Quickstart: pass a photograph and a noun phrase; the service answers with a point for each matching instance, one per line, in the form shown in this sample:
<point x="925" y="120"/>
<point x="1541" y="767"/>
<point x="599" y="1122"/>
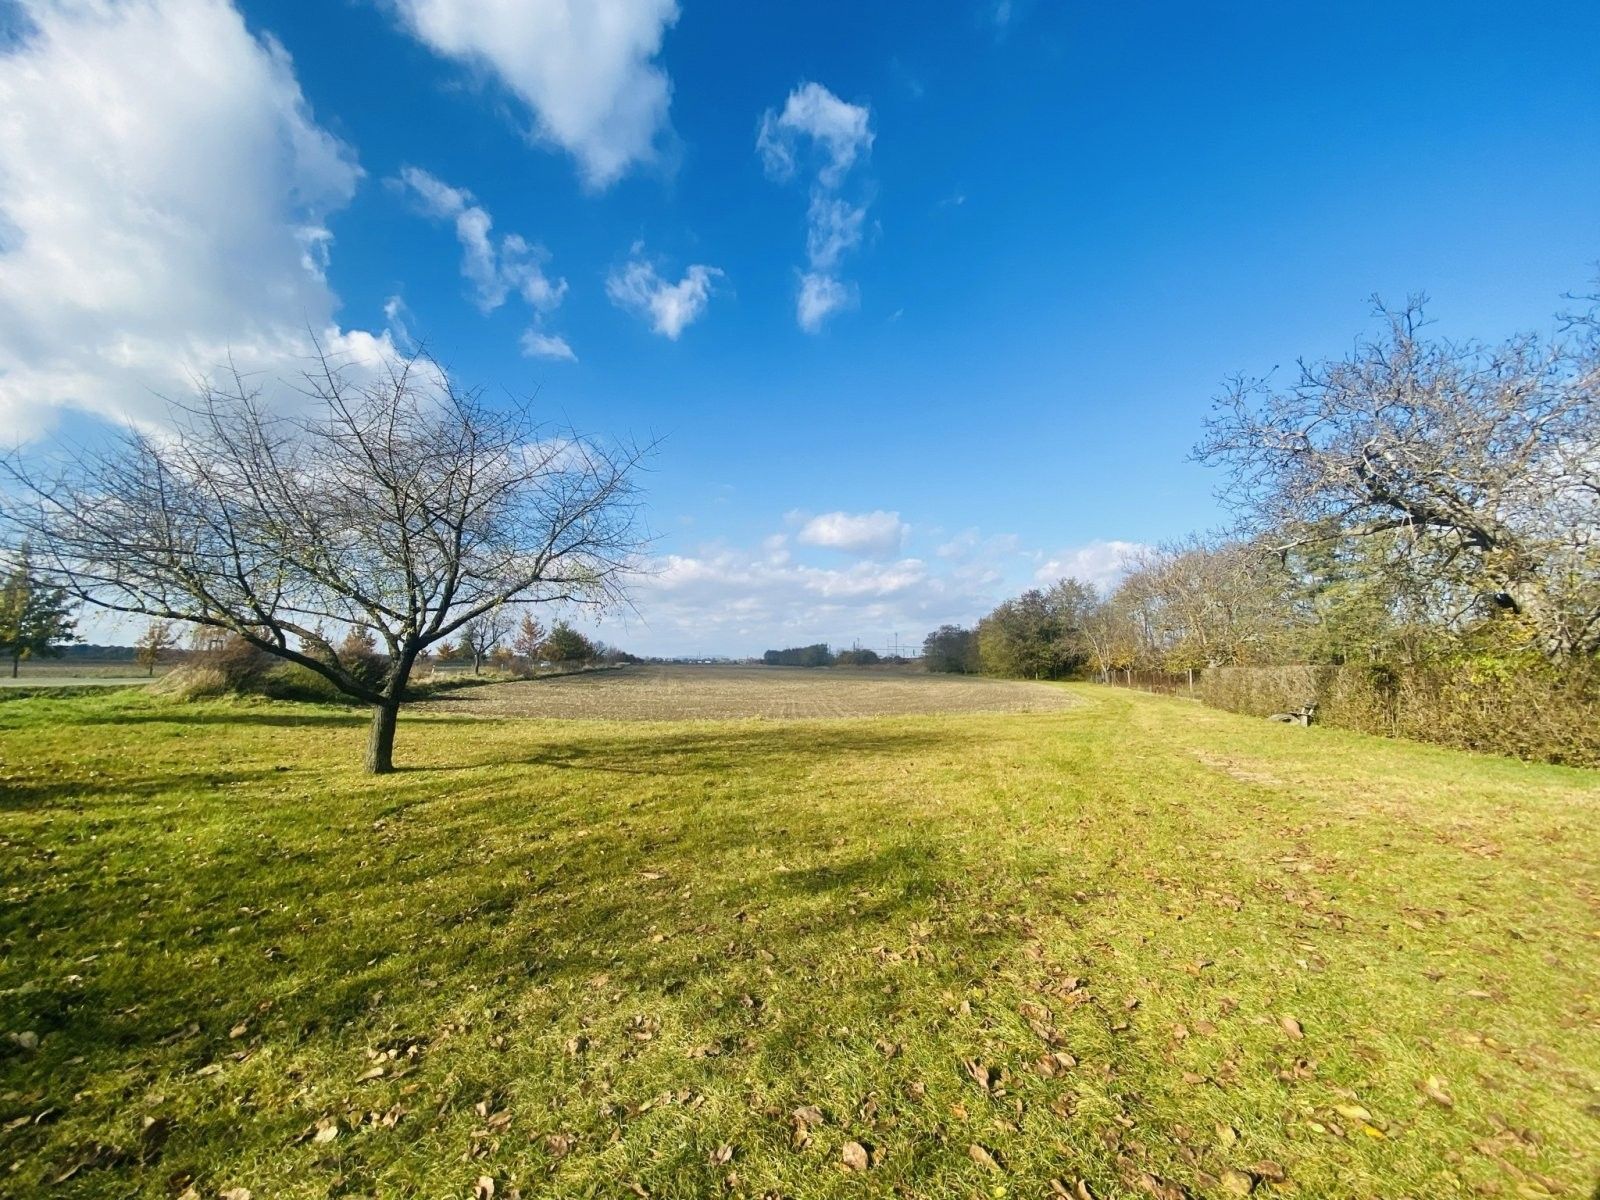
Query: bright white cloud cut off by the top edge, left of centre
<point x="585" y="68"/>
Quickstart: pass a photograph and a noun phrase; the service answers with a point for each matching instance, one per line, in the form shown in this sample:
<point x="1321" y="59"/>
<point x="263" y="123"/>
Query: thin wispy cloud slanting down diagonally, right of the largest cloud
<point x="495" y="270"/>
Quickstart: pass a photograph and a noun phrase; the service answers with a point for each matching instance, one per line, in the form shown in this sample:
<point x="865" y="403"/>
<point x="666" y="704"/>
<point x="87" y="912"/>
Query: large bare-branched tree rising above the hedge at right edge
<point x="1486" y="458"/>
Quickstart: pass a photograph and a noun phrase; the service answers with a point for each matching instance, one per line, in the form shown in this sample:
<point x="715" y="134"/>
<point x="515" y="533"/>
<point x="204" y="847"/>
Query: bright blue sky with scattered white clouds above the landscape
<point x="1052" y="231"/>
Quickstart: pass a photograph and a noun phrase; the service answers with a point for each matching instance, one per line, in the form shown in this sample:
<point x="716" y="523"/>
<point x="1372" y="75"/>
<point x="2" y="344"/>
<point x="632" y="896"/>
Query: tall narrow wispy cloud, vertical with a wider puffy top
<point x="831" y="137"/>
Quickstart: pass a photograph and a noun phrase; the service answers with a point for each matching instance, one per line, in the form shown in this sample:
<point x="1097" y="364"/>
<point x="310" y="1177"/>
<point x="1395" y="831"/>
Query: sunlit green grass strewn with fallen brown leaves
<point x="591" y="956"/>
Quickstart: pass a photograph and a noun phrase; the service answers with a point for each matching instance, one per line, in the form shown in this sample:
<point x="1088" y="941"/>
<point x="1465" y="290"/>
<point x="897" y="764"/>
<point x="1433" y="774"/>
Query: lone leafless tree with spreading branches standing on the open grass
<point x="401" y="505"/>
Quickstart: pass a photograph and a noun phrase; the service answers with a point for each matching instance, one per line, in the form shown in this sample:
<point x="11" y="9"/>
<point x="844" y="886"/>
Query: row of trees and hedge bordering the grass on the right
<point x="1417" y="553"/>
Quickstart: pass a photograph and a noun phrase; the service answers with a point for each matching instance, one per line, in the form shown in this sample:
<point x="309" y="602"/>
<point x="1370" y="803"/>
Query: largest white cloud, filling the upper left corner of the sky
<point x="164" y="204"/>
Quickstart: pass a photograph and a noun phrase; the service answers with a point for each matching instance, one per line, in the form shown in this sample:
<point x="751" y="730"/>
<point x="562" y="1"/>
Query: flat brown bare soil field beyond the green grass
<point x="732" y="692"/>
